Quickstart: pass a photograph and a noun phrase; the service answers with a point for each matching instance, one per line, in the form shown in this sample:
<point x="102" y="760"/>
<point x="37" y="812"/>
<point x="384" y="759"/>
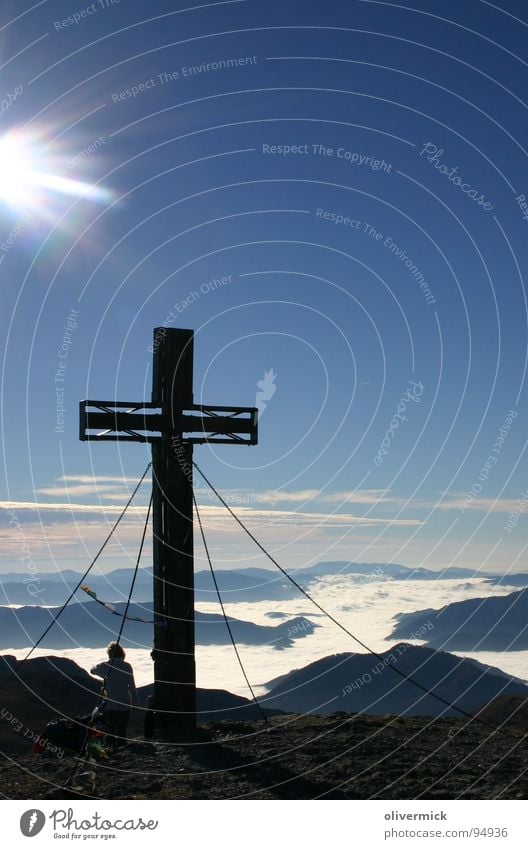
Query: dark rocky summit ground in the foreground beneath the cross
<point x="293" y="757"/>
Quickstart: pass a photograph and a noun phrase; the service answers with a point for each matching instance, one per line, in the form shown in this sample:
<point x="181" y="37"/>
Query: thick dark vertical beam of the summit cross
<point x="174" y="645"/>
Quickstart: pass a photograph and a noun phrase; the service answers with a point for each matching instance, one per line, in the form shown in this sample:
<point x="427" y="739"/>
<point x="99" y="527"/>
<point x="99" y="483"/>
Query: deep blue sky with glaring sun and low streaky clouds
<point x="336" y="196"/>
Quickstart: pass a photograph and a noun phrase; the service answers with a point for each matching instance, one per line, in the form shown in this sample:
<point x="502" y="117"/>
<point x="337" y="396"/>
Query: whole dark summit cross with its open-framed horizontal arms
<point x="173" y="424"/>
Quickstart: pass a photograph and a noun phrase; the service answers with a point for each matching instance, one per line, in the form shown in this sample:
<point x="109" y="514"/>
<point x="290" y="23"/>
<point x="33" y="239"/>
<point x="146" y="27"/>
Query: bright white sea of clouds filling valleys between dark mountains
<point x="366" y="607"/>
